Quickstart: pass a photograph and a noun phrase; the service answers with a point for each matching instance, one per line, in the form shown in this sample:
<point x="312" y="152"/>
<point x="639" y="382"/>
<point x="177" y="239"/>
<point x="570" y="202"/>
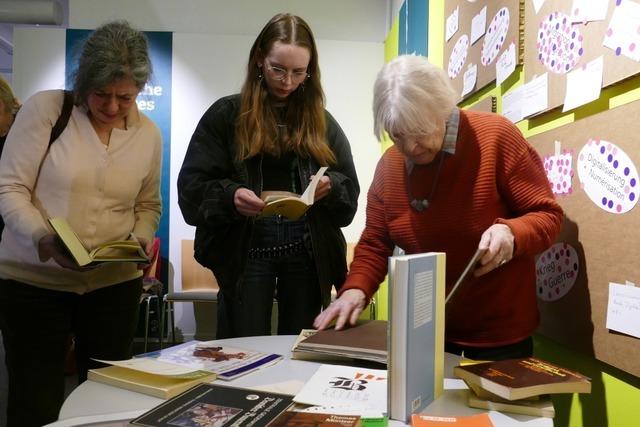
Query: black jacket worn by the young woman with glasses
<point x="210" y="175"/>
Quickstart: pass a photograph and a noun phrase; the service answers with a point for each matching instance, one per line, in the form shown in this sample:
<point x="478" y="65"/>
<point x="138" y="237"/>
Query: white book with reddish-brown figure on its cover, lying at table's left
<point x="227" y="362"/>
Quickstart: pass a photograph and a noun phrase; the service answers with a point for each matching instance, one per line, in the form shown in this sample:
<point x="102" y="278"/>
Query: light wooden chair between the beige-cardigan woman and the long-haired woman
<point x="198" y="285"/>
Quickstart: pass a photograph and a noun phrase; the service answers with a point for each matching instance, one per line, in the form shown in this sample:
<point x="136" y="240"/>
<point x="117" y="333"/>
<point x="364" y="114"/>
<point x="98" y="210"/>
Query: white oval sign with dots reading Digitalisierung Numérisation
<point x="608" y="176"/>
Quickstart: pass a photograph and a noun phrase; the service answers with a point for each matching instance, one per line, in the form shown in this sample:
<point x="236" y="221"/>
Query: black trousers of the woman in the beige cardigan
<point x="36" y="324"/>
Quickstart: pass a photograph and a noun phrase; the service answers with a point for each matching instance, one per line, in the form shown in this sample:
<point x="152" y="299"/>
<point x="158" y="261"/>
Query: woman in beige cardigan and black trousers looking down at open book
<point x="102" y="174"/>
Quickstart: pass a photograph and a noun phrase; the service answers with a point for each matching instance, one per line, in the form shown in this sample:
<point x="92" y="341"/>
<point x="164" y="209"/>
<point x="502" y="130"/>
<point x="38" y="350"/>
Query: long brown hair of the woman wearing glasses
<point x="304" y="117"/>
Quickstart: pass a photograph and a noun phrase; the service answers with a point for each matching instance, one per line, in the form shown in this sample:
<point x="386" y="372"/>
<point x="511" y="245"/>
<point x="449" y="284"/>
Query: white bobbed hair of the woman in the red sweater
<point x="411" y="96"/>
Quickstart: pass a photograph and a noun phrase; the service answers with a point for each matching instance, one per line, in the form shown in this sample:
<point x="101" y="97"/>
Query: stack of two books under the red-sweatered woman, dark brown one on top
<point x="519" y="386"/>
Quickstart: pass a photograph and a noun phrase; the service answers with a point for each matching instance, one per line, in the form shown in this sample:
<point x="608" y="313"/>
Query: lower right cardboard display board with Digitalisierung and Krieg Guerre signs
<point x="593" y="170"/>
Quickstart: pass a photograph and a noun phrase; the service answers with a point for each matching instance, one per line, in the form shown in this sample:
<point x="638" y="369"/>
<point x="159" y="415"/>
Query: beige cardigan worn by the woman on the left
<point x="105" y="193"/>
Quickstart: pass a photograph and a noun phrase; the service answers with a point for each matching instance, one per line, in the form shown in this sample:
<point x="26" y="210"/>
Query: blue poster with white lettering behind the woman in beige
<point x="154" y="101"/>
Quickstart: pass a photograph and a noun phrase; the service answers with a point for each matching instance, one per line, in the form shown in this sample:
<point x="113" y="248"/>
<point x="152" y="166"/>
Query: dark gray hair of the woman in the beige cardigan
<point x="112" y="52"/>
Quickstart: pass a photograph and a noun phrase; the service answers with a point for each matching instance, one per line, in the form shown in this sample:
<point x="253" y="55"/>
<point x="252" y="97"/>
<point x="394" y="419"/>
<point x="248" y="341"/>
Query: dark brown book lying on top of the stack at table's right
<point x="514" y="379"/>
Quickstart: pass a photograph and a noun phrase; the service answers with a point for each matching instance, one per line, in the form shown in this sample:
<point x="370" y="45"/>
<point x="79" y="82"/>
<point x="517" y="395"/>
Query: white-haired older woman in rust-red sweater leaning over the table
<point x="471" y="181"/>
